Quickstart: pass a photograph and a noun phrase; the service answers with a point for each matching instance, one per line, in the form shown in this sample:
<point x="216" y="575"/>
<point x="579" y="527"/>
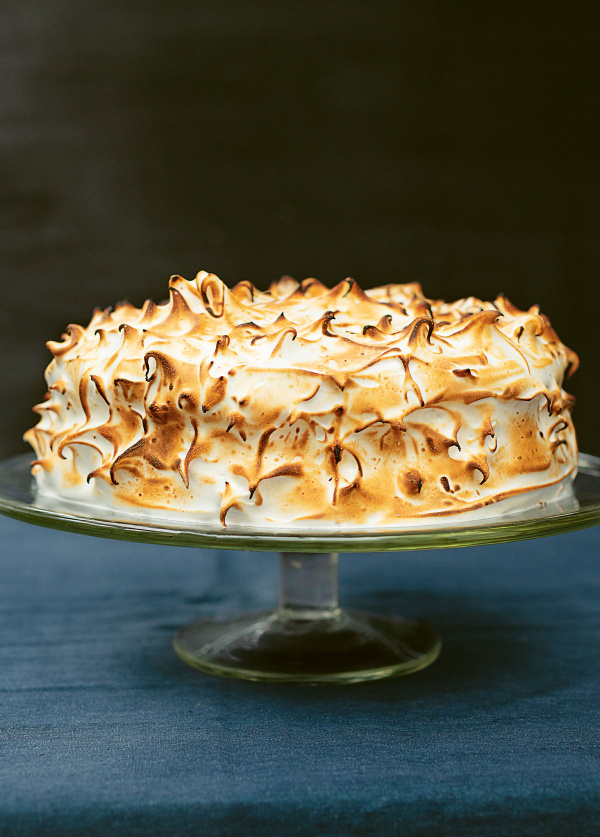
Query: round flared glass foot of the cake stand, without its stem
<point x="352" y="648"/>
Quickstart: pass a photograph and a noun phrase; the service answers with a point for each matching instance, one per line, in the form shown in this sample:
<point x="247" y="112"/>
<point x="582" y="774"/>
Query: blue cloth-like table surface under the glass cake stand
<point x="105" y="731"/>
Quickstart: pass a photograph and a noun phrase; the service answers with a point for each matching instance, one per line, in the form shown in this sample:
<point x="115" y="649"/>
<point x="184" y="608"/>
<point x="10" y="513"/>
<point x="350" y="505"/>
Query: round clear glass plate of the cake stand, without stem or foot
<point x="15" y="471"/>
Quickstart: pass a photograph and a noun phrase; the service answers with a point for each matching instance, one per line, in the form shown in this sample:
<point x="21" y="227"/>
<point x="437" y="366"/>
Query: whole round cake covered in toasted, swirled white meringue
<point x="305" y="406"/>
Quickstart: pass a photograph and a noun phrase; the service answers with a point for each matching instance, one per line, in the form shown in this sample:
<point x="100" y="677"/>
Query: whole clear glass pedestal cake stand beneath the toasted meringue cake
<point x="308" y="638"/>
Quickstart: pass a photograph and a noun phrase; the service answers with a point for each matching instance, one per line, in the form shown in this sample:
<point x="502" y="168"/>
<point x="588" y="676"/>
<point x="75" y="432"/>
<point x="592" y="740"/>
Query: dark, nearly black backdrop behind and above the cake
<point x="451" y="144"/>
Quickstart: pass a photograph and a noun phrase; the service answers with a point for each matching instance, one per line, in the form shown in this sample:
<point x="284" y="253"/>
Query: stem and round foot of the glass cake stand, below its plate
<point x="308" y="639"/>
